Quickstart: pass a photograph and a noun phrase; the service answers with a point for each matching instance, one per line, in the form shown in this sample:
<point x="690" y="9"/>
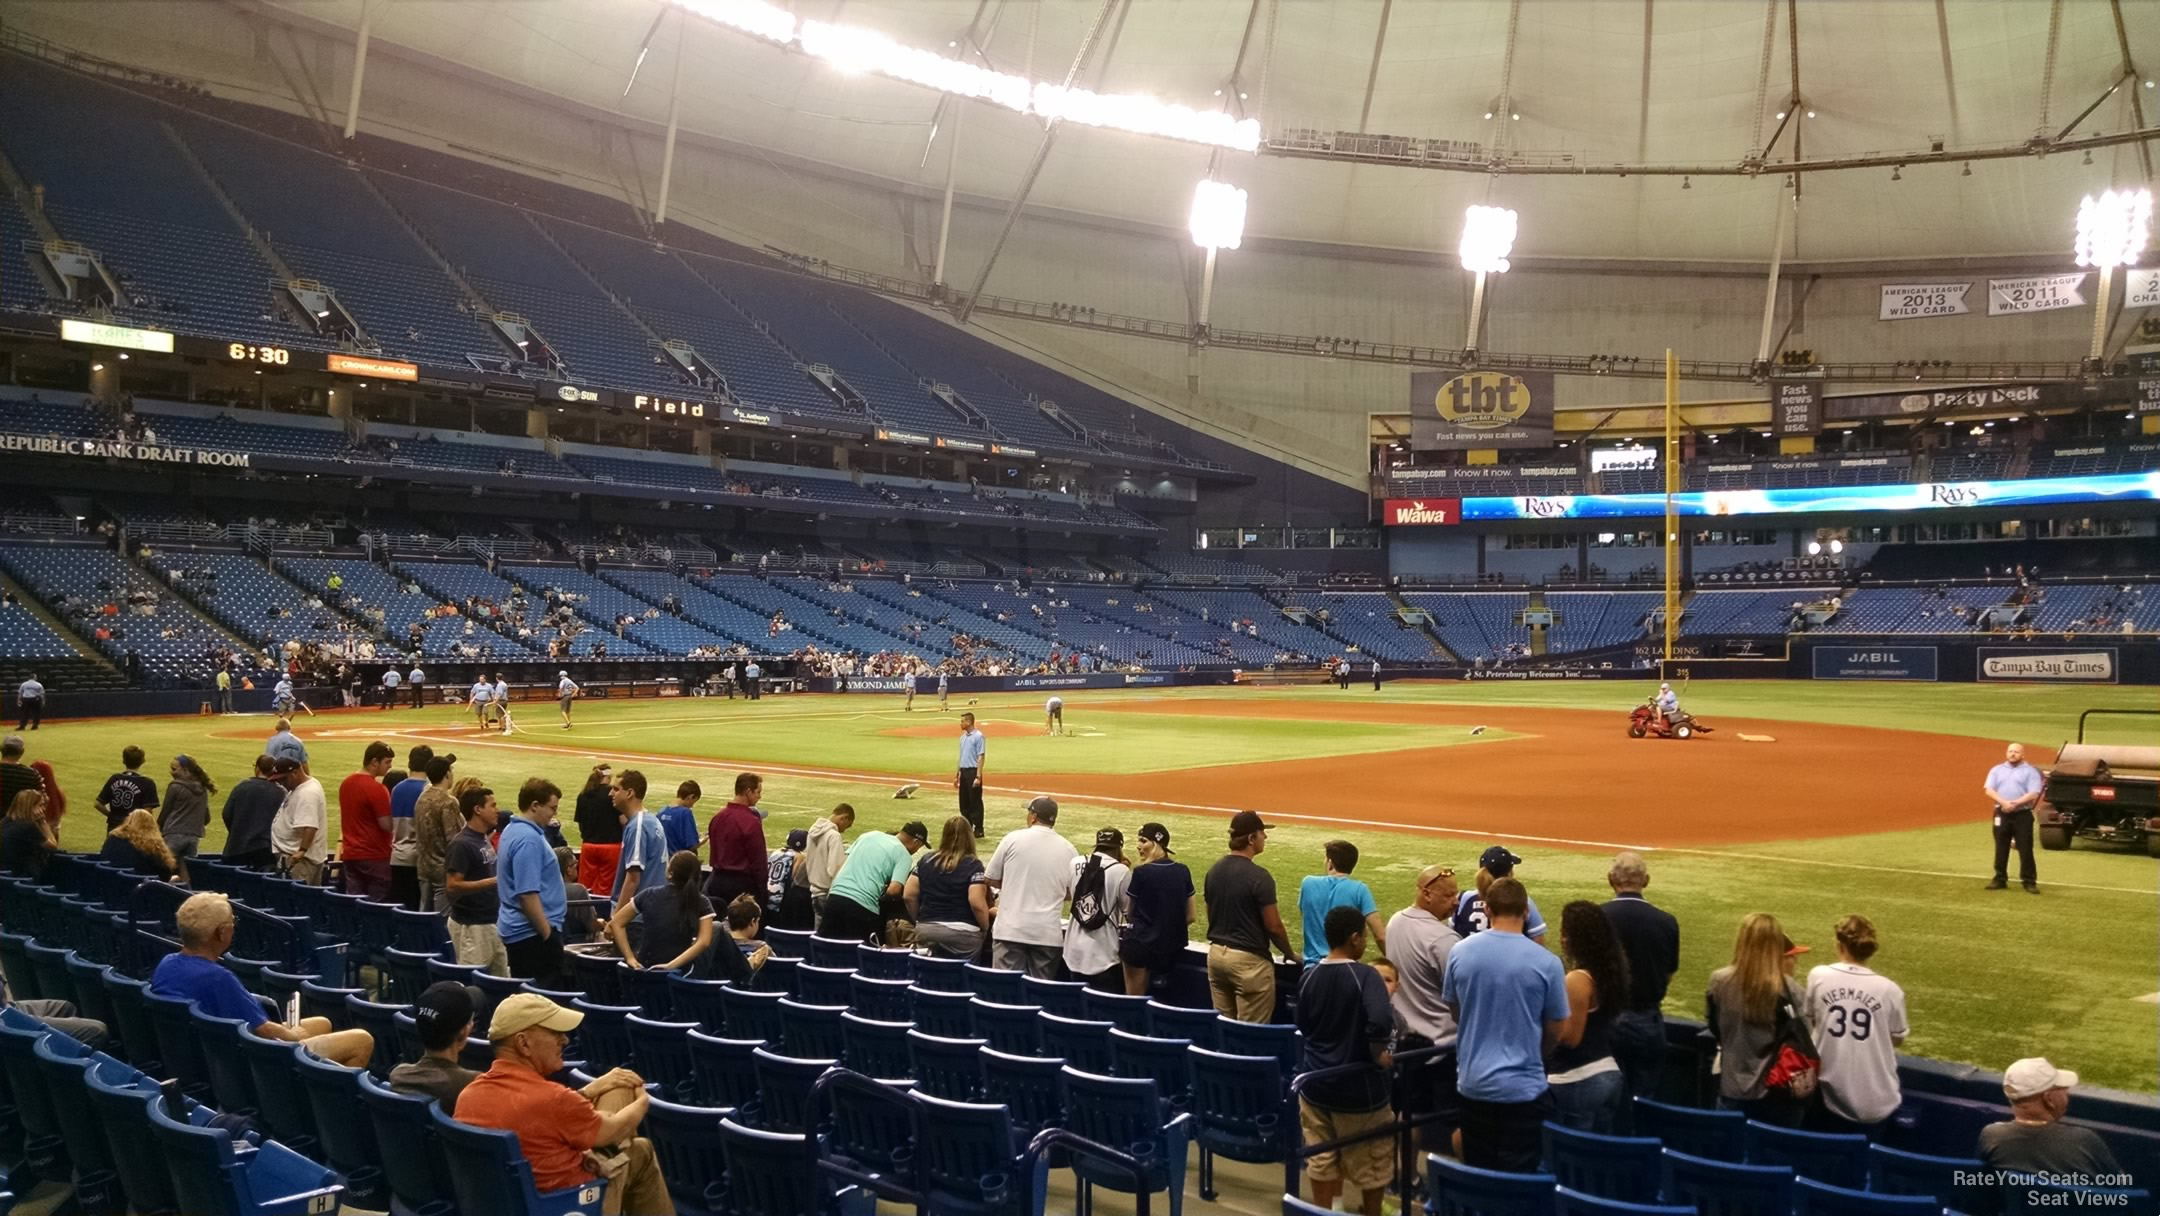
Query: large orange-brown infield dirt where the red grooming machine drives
<point x="1578" y="776"/>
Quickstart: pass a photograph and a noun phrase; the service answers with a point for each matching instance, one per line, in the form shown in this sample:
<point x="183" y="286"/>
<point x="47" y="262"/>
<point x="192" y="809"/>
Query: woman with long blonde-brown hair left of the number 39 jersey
<point x="1749" y="1001"/>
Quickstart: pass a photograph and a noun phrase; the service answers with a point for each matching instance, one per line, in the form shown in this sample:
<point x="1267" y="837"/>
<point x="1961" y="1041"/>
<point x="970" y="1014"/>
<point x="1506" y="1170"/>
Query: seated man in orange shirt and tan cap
<point x="569" y="1135"/>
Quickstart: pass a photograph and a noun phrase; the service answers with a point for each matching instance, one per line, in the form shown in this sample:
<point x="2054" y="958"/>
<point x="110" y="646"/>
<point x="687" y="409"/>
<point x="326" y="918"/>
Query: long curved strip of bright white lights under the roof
<point x="854" y="49"/>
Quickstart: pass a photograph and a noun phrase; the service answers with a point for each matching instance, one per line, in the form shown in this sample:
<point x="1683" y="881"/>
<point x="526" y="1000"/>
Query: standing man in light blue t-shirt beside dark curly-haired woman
<point x="1511" y="1001"/>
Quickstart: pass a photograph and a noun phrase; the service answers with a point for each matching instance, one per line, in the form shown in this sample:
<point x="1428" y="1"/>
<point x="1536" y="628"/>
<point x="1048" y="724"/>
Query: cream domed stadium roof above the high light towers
<point x="1677" y="94"/>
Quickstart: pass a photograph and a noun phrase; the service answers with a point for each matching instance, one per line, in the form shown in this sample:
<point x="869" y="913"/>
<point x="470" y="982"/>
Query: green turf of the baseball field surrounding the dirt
<point x="1990" y="975"/>
